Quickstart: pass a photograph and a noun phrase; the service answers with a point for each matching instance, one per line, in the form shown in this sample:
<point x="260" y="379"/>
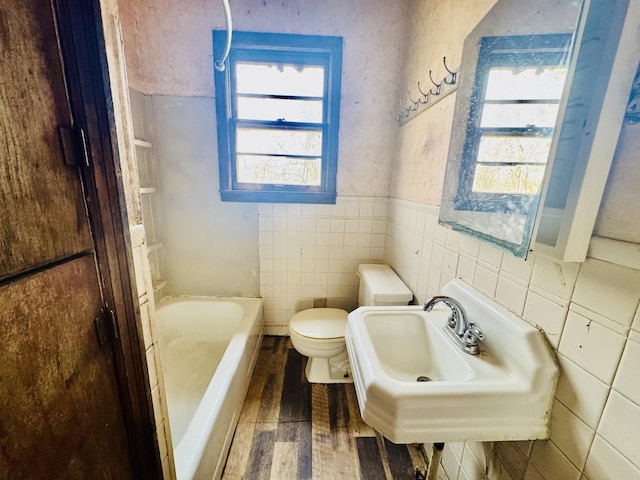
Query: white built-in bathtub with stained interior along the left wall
<point x="208" y="348"/>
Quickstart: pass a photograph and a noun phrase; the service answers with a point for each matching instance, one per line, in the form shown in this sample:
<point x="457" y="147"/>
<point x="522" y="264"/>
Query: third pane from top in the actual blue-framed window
<point x="272" y="141"/>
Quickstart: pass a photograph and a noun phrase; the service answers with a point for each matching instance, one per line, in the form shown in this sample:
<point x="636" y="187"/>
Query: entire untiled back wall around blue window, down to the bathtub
<point x="212" y="247"/>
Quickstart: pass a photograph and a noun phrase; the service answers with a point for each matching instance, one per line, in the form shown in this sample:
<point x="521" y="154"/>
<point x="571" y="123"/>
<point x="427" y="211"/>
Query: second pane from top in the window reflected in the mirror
<point x="541" y="115"/>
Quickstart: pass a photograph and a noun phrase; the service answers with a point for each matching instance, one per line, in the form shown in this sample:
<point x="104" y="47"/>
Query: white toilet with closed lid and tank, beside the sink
<point x="318" y="333"/>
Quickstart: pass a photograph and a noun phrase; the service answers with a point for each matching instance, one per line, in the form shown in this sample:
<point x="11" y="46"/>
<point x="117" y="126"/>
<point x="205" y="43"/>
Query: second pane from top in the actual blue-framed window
<point x="277" y="109"/>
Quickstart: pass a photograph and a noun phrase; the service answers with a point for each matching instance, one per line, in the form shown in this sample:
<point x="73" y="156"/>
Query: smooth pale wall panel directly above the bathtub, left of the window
<point x="211" y="246"/>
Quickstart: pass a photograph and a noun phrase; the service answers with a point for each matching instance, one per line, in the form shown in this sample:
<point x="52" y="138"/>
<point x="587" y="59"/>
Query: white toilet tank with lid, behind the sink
<point x="379" y="286"/>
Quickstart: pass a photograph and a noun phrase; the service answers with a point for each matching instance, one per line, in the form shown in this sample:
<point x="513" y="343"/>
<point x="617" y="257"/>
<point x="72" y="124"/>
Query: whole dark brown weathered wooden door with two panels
<point x="61" y="415"/>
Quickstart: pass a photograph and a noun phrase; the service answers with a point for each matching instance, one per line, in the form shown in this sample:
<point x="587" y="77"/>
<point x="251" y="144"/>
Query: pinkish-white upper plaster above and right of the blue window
<point x="168" y="50"/>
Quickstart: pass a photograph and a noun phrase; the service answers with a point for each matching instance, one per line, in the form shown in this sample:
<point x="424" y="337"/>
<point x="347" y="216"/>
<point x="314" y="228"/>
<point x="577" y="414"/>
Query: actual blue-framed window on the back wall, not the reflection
<point x="277" y="107"/>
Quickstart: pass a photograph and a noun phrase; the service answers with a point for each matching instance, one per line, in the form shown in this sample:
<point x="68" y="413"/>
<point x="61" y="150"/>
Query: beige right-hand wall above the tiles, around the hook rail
<point x="435" y="29"/>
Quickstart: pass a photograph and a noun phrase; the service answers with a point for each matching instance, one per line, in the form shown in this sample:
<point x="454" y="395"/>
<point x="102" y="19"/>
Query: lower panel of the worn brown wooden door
<point x="61" y="415"/>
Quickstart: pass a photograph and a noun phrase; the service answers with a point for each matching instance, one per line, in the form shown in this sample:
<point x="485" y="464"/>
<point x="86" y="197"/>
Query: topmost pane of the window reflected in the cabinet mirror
<point x="531" y="83"/>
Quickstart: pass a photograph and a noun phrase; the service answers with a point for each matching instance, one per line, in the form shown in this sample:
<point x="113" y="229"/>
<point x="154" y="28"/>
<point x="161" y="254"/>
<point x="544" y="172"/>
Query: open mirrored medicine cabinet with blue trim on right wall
<point x="560" y="156"/>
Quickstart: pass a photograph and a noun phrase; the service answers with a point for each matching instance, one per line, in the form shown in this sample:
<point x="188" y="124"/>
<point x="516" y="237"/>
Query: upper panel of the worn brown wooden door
<point x="43" y="215"/>
